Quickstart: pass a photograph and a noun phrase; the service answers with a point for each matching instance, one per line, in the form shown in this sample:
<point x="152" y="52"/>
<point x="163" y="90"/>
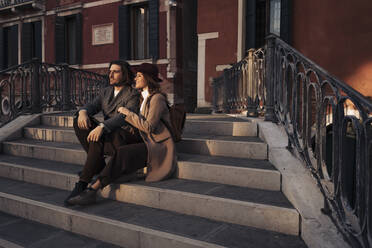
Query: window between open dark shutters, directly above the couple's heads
<point x="139" y="32"/>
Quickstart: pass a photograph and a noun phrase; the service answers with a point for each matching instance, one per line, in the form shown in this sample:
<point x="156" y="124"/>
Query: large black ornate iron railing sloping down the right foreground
<point x="330" y="125"/>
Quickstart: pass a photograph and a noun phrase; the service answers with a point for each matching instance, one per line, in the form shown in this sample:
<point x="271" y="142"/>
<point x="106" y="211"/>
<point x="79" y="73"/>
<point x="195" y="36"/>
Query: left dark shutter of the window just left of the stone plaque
<point x="59" y="40"/>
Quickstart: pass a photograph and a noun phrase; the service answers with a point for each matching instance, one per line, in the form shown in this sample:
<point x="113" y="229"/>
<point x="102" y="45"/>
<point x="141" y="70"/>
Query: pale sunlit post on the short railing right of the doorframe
<point x="251" y="86"/>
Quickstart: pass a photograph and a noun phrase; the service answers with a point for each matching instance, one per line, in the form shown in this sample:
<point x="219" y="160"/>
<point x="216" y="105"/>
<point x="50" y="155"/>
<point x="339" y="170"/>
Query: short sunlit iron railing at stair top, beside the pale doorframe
<point x="241" y="87"/>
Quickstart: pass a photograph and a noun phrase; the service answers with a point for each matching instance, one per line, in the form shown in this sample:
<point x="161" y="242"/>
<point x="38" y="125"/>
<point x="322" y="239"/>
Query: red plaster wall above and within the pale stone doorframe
<point x="218" y="16"/>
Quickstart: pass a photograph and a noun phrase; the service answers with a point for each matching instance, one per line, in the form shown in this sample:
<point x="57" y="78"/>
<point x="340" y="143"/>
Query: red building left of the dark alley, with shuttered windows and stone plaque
<point x="88" y="34"/>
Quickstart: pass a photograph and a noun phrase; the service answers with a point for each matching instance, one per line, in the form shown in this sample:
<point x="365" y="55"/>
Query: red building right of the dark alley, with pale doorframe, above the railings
<point x="334" y="34"/>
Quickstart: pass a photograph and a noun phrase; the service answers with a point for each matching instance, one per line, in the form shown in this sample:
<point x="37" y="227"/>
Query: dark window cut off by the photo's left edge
<point x="8" y="46"/>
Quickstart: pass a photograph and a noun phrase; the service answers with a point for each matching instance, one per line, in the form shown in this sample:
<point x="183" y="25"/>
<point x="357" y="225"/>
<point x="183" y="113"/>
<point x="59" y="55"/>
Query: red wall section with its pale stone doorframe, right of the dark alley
<point x="217" y="43"/>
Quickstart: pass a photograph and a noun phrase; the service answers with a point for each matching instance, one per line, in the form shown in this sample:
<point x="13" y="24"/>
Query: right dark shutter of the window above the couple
<point x="154" y="29"/>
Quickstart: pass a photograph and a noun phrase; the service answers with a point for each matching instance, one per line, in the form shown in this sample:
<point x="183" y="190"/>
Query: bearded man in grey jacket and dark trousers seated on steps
<point x="99" y="139"/>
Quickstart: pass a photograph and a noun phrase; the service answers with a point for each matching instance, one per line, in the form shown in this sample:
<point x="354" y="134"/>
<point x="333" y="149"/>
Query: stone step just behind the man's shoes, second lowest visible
<point x="263" y="209"/>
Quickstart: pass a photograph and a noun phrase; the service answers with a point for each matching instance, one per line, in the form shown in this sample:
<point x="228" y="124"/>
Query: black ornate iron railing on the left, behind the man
<point x="34" y="87"/>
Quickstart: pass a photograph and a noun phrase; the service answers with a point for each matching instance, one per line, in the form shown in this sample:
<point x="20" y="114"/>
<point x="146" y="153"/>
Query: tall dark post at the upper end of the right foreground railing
<point x="270" y="79"/>
